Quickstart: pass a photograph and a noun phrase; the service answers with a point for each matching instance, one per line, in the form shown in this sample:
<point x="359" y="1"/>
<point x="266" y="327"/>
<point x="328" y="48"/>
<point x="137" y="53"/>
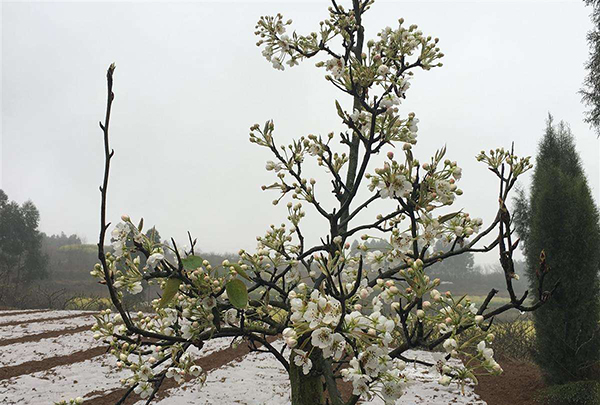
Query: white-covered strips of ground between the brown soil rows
<point x="257" y="379"/>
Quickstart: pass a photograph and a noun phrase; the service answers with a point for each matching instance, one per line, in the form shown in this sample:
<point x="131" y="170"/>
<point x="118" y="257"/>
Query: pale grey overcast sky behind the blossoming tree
<point x="190" y="82"/>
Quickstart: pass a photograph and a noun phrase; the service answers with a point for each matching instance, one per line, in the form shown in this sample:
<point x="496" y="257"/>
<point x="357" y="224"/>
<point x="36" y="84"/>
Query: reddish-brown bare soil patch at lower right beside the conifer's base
<point x="517" y="385"/>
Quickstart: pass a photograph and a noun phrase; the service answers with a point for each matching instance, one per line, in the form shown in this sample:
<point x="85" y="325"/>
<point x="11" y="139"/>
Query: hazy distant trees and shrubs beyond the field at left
<point x="40" y="270"/>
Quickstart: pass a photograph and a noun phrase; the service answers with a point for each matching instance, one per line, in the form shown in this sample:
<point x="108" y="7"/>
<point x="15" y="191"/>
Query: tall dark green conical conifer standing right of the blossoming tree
<point x="560" y="219"/>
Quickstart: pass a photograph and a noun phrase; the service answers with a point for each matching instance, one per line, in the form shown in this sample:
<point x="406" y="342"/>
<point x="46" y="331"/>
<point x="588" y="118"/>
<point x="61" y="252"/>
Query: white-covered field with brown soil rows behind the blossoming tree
<point x="48" y="356"/>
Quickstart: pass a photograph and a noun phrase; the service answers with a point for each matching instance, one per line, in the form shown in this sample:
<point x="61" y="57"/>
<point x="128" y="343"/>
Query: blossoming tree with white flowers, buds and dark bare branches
<point x="342" y="313"/>
